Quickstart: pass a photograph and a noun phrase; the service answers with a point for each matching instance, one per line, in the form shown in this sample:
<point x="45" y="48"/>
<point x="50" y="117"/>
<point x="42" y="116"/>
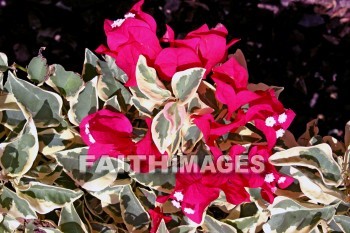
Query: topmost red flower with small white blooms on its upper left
<point x="130" y="37"/>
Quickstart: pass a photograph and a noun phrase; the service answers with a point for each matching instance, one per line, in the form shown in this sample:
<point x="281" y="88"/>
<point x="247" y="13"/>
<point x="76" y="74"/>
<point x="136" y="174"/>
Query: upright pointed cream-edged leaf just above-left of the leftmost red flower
<point x="85" y="103"/>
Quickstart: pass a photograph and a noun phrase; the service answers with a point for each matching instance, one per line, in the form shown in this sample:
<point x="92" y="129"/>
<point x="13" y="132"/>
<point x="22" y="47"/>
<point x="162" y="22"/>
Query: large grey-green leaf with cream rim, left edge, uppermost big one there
<point x="44" y="106"/>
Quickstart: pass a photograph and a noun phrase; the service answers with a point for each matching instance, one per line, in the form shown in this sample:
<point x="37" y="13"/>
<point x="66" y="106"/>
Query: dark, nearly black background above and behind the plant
<point x="302" y="47"/>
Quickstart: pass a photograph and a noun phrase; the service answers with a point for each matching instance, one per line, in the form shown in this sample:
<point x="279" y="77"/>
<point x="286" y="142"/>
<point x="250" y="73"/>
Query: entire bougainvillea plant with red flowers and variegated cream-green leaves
<point x="161" y="135"/>
